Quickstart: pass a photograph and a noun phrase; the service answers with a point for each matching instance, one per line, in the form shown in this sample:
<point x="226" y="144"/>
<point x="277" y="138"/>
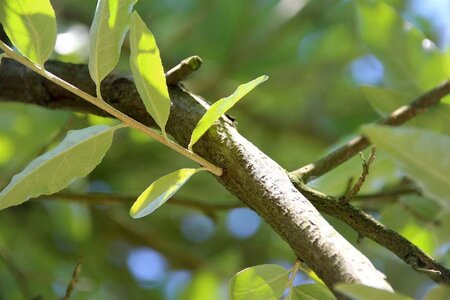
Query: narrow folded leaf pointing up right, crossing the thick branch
<point x="222" y="106"/>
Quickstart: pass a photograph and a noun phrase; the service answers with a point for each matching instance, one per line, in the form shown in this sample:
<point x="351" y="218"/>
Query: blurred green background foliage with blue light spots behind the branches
<point x="317" y="53"/>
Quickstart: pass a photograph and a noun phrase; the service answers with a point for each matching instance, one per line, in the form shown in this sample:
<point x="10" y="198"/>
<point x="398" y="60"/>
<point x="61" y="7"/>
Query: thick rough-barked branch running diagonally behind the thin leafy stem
<point x="249" y="174"/>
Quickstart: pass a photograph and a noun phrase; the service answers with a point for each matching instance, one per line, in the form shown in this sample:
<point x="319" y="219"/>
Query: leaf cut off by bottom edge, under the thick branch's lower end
<point x="362" y="292"/>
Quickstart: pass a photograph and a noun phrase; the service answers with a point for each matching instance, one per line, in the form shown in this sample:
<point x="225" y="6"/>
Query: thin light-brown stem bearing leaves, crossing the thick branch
<point x="111" y="110"/>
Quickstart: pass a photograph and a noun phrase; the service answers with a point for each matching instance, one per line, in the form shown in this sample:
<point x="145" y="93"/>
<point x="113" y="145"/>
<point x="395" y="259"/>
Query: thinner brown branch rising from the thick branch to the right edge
<point x="358" y="144"/>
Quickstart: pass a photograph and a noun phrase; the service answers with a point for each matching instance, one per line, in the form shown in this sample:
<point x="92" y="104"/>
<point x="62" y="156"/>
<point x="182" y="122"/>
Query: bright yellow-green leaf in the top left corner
<point x="31" y="27"/>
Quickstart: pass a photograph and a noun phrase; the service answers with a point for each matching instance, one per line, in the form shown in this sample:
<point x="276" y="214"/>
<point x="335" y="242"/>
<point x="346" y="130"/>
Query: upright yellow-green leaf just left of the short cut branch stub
<point x="148" y="71"/>
